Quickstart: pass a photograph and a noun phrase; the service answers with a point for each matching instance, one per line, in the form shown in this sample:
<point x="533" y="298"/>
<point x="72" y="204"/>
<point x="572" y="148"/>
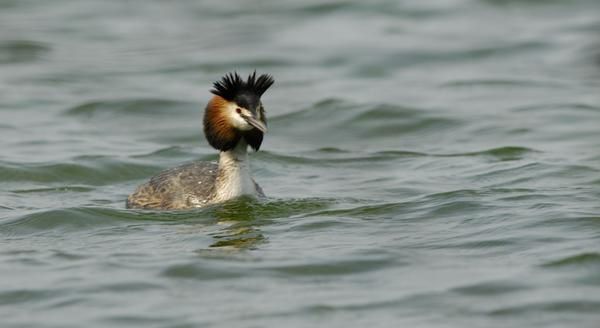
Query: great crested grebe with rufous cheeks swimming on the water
<point x="234" y="119"/>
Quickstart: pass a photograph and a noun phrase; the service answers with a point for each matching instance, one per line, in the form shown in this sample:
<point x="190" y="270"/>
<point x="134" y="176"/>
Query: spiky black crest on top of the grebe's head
<point x="232" y="85"/>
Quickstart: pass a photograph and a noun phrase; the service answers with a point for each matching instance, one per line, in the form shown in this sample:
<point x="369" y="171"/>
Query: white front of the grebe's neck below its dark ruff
<point x="233" y="178"/>
